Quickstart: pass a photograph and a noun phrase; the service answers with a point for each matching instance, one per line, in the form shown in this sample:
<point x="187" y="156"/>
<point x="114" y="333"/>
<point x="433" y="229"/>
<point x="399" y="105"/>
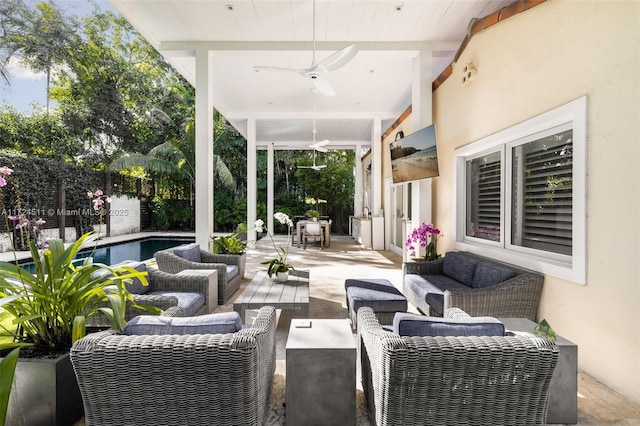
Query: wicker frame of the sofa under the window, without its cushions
<point x="517" y="297"/>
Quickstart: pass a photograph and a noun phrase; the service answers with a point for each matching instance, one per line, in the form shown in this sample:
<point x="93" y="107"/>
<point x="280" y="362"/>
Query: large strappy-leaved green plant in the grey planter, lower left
<point x="45" y="303"/>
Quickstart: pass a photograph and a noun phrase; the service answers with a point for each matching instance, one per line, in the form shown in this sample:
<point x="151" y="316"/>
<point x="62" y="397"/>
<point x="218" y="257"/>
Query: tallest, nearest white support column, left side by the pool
<point x="204" y="149"/>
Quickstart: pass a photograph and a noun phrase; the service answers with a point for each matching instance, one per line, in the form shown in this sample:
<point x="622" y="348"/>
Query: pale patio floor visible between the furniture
<point x="597" y="403"/>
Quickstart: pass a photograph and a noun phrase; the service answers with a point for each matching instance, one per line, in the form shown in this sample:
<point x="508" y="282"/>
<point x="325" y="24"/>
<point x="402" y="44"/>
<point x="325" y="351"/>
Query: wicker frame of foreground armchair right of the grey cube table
<point x="454" y="380"/>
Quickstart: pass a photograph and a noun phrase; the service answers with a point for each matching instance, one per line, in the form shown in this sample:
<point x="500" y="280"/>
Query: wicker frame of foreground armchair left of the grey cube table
<point x="208" y="379"/>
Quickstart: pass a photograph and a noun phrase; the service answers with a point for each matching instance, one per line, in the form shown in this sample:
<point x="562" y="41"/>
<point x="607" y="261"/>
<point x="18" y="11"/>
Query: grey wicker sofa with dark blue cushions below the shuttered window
<point x="478" y="285"/>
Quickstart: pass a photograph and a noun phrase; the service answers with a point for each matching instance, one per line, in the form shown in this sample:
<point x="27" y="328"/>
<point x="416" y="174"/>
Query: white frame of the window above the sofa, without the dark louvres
<point x="572" y="268"/>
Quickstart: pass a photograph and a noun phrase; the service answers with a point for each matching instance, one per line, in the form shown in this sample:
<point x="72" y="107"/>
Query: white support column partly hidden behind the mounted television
<point x="421" y="115"/>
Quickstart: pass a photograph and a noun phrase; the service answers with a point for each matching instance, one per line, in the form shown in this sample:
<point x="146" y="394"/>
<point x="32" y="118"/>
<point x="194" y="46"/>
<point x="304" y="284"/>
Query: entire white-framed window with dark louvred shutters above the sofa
<point x="521" y="193"/>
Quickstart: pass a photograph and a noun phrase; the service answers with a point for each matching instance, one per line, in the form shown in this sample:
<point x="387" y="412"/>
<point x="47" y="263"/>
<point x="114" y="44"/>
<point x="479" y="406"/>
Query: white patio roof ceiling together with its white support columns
<point x="217" y="45"/>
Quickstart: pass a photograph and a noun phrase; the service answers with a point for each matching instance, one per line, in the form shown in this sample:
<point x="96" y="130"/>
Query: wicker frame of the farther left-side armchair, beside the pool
<point x="172" y="263"/>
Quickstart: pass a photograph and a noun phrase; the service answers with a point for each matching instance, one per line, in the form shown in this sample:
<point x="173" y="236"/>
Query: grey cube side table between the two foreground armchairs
<point x="321" y="373"/>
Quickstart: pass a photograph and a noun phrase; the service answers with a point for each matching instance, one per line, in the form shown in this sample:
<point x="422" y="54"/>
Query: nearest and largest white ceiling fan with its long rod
<point x="317" y="71"/>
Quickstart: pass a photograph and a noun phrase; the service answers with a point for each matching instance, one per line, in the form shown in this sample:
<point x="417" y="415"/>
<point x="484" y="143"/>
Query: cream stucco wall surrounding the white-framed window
<point x="529" y="64"/>
